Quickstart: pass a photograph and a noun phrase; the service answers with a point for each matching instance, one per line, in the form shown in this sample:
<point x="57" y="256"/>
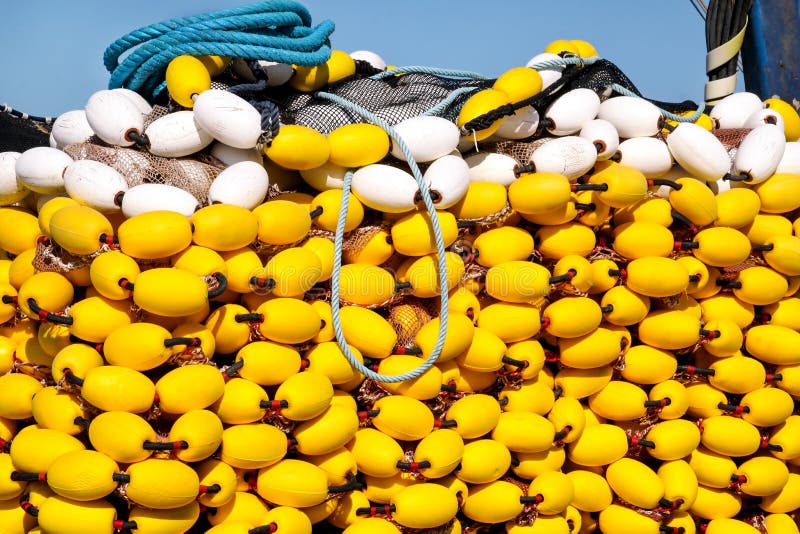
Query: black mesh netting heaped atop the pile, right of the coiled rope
<point x="396" y="98"/>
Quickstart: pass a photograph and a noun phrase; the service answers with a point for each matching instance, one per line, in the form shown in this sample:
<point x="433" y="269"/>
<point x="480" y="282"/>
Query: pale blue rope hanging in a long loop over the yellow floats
<point x="337" y="256"/>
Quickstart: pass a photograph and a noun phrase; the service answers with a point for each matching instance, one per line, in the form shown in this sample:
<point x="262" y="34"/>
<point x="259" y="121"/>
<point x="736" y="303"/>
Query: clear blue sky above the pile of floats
<point x="52" y="51"/>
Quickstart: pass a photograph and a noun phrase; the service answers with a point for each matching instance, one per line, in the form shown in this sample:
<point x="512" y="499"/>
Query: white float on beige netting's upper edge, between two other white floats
<point x="176" y="135"/>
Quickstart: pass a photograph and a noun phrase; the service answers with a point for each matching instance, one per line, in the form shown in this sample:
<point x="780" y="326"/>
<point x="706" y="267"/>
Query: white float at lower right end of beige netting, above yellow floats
<point x="243" y="184"/>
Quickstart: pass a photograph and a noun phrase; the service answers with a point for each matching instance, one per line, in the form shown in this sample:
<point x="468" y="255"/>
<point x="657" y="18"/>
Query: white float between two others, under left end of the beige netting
<point x="94" y="184"/>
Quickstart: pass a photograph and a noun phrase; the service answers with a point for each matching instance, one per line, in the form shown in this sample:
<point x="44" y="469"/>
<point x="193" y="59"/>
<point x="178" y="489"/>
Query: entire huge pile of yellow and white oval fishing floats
<point x="623" y="332"/>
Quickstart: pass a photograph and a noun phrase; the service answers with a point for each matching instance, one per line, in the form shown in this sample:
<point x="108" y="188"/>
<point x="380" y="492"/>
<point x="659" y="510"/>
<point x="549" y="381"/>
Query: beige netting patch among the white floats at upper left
<point x="192" y="174"/>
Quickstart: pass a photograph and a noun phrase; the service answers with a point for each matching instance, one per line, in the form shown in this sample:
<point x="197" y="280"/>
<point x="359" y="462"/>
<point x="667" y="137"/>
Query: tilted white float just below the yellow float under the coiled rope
<point x="230" y="119"/>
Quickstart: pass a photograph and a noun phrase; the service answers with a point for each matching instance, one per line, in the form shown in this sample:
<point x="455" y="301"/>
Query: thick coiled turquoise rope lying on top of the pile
<point x="275" y="30"/>
